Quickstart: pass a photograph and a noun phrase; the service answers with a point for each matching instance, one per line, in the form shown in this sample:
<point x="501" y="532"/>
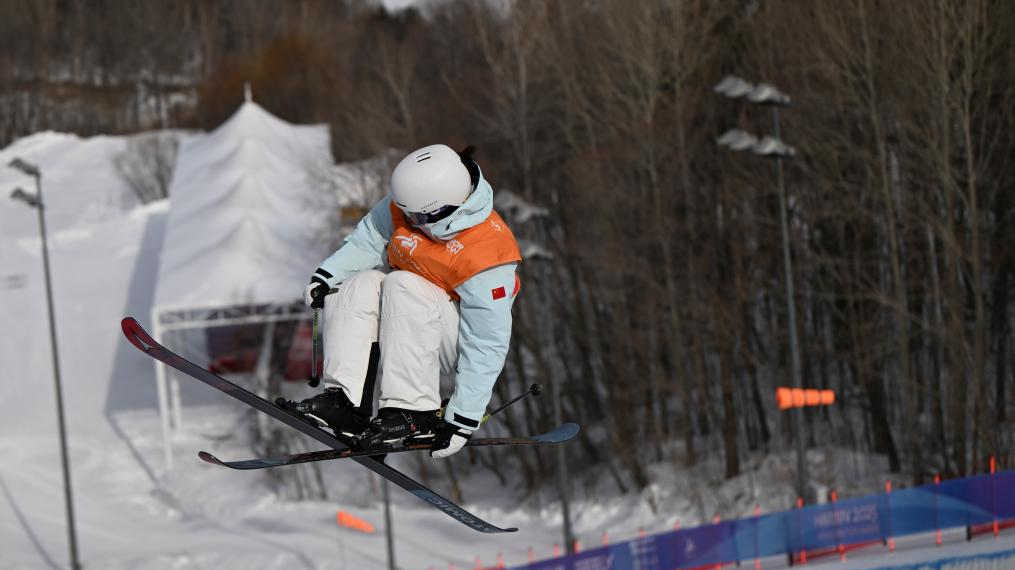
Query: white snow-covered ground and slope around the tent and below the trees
<point x="133" y="514"/>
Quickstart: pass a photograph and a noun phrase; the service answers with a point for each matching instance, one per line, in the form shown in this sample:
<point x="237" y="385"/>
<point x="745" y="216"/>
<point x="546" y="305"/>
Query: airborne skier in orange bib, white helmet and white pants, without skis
<point x="430" y="274"/>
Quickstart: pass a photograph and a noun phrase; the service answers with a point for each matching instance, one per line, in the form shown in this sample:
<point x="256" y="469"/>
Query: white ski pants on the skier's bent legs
<point x="417" y="324"/>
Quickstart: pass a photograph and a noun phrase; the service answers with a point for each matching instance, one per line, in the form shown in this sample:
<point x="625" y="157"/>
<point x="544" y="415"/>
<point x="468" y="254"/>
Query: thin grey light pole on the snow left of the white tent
<point x="36" y="201"/>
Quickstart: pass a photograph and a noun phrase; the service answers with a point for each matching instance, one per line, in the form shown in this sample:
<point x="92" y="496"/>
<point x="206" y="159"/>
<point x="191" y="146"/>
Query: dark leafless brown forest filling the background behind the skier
<point x="662" y="312"/>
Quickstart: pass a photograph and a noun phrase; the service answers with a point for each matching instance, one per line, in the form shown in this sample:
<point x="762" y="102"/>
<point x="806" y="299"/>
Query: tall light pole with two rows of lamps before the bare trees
<point x="773" y="148"/>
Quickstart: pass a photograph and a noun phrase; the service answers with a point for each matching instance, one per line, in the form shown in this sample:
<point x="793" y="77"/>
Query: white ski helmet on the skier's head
<point x="430" y="184"/>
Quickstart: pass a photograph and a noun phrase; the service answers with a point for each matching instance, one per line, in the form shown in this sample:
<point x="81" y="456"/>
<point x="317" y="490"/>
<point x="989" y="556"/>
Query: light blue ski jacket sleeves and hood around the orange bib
<point x="485" y="323"/>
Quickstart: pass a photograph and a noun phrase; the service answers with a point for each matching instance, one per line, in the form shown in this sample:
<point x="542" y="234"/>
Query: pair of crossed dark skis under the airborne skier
<point x="369" y="459"/>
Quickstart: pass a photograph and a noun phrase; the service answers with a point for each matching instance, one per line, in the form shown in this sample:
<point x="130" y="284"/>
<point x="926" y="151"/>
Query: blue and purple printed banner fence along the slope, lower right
<point x="985" y="503"/>
